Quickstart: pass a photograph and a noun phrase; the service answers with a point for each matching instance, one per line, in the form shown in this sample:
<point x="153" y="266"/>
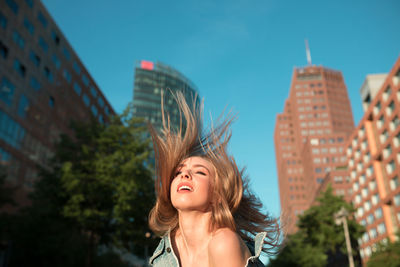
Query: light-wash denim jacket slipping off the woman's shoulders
<point x="164" y="255"/>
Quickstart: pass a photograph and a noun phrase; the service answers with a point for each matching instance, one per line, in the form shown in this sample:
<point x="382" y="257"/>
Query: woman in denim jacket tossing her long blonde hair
<point x="204" y="212"/>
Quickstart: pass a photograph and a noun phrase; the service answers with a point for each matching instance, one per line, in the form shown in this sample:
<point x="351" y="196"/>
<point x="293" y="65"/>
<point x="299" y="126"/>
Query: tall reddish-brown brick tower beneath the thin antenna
<point x="309" y="138"/>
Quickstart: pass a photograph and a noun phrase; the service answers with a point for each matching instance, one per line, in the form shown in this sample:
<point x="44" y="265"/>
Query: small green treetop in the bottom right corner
<point x="387" y="255"/>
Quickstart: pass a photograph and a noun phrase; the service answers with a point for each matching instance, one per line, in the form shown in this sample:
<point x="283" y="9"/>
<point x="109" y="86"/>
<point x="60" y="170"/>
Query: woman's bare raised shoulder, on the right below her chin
<point x="226" y="248"/>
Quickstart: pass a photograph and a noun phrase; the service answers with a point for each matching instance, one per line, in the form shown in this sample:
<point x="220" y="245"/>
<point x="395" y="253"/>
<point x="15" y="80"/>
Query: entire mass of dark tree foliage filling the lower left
<point x="98" y="191"/>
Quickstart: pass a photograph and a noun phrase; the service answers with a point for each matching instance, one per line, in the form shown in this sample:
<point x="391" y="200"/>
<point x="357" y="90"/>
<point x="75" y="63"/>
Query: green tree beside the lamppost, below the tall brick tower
<point x="319" y="241"/>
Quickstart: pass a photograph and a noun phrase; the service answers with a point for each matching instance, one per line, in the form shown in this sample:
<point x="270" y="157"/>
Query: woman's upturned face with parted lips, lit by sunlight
<point x="191" y="186"/>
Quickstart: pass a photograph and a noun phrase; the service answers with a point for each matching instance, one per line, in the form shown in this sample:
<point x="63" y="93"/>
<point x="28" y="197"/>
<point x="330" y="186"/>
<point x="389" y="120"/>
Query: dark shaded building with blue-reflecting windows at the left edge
<point x="43" y="87"/>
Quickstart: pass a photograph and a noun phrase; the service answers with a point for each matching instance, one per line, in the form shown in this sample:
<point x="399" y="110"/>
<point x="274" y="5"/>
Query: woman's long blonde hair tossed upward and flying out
<point x="235" y="206"/>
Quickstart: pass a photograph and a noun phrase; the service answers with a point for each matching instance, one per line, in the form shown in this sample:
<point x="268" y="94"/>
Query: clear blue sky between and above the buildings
<point x="239" y="53"/>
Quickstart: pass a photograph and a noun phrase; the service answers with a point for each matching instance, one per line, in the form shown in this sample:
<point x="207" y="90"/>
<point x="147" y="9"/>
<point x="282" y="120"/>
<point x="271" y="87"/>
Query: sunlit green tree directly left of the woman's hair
<point x="108" y="183"/>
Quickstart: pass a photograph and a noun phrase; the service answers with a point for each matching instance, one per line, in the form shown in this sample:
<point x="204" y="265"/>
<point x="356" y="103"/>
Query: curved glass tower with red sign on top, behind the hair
<point x="150" y="80"/>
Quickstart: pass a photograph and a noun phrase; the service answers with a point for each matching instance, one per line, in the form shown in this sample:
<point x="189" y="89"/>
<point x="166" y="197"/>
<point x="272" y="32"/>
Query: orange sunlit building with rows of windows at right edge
<point x="373" y="152"/>
